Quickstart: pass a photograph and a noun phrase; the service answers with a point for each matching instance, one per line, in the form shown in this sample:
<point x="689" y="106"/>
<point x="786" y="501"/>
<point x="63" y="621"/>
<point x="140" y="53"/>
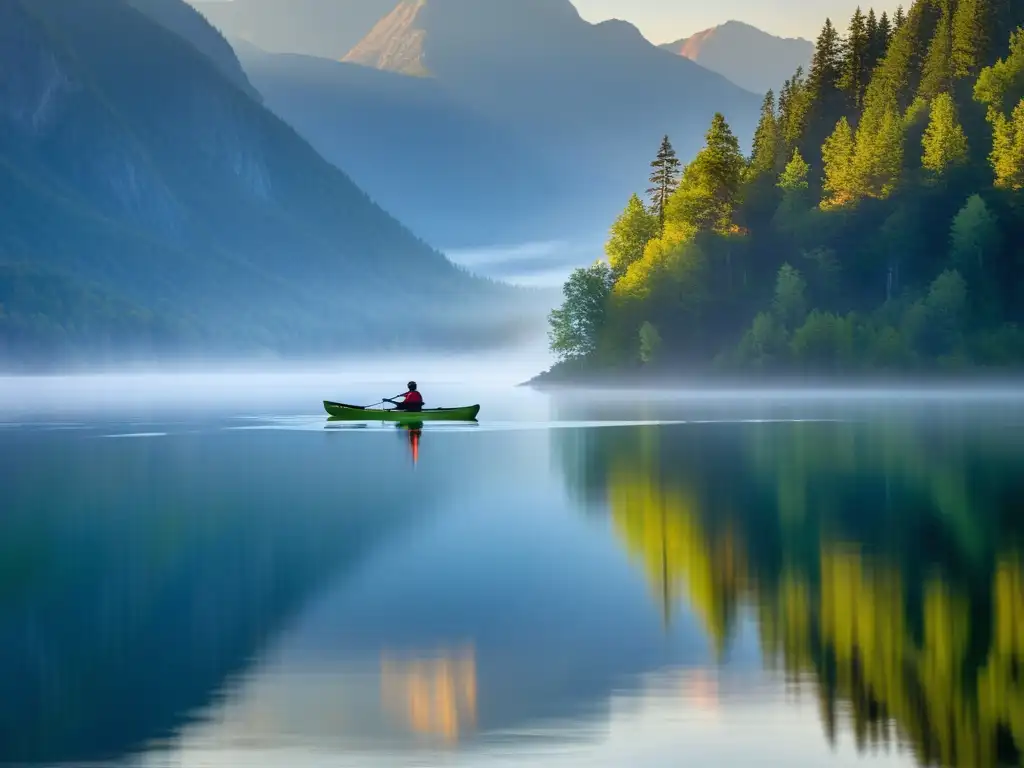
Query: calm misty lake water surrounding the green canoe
<point x="194" y="577"/>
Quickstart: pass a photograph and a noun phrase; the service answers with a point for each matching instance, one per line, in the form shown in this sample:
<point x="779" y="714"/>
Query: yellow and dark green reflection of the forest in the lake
<point x="883" y="562"/>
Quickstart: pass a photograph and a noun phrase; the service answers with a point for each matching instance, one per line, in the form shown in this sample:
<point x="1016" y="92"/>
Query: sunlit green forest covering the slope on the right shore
<point x="876" y="225"/>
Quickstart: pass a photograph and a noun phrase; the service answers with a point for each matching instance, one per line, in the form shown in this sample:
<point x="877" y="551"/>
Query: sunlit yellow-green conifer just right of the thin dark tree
<point x="709" y="193"/>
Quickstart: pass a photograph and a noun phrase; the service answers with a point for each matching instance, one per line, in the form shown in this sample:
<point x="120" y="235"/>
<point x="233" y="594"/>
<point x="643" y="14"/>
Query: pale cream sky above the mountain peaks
<point x="667" y="21"/>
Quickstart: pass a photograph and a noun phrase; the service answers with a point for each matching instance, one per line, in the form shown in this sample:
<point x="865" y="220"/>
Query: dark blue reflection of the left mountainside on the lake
<point x="140" y="578"/>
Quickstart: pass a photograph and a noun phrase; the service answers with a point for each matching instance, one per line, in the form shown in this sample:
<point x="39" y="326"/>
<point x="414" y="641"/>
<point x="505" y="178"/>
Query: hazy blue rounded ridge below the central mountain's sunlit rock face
<point x="457" y="178"/>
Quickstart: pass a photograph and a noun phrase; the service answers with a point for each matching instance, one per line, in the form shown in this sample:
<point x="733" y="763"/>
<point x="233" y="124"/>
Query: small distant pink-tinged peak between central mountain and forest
<point x="750" y="58"/>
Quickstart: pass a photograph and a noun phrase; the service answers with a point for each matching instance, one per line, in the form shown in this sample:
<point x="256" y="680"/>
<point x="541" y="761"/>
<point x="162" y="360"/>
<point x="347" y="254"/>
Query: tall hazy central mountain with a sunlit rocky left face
<point x="571" y="91"/>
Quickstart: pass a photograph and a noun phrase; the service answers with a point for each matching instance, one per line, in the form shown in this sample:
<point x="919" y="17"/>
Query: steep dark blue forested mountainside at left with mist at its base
<point x="144" y="191"/>
